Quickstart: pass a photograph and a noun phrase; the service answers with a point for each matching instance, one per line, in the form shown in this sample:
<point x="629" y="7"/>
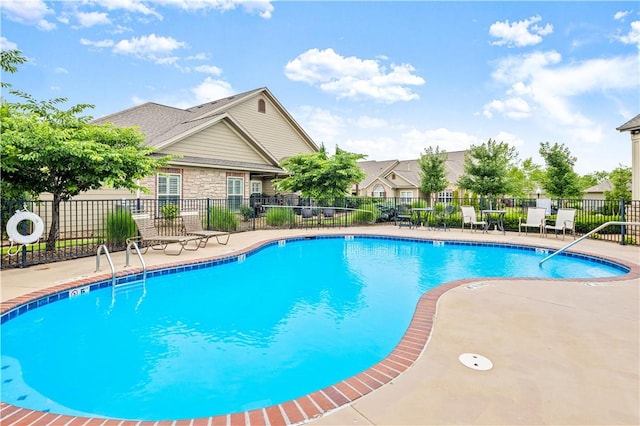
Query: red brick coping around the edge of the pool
<point x="307" y="407"/>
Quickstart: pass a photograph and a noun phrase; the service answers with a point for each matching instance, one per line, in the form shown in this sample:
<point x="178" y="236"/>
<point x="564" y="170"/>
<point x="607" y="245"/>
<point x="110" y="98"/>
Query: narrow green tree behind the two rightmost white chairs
<point x="560" y="180"/>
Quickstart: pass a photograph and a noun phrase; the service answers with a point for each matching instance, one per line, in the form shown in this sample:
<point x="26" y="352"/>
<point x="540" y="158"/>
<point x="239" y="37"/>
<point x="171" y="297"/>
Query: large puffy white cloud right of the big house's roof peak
<point x="354" y="78"/>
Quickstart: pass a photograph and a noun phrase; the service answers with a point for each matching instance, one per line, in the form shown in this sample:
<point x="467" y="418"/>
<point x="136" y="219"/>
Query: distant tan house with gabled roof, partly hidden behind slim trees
<point x="401" y="179"/>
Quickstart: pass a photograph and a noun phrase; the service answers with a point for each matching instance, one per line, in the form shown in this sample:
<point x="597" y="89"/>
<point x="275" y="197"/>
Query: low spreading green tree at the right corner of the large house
<point x="321" y="176"/>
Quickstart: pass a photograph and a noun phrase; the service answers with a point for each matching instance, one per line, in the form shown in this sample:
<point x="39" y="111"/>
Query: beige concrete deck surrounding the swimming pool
<point x="563" y="352"/>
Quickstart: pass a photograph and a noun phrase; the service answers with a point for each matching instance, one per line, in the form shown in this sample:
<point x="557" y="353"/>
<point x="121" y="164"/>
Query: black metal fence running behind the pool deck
<point x="83" y="226"/>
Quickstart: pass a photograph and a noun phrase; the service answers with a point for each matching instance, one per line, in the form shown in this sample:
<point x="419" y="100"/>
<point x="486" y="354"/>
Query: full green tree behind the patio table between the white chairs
<point x="486" y="169"/>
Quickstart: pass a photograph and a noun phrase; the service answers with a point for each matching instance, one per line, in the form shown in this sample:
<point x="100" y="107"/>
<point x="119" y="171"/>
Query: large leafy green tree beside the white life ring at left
<point x="47" y="149"/>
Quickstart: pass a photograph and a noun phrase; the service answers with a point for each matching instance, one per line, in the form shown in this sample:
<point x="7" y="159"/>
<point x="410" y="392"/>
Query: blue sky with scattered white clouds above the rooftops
<point x="386" y="79"/>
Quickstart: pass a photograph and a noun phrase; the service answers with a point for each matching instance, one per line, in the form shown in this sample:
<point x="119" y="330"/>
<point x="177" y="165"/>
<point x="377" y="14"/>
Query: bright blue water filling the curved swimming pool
<point x="277" y="324"/>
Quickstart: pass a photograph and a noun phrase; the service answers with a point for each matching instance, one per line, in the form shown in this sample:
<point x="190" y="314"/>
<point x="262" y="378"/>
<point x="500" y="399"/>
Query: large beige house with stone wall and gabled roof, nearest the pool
<point x="225" y="149"/>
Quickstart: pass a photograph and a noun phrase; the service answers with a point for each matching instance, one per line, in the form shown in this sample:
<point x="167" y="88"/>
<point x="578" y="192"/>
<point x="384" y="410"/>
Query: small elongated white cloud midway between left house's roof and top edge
<point x="154" y="48"/>
